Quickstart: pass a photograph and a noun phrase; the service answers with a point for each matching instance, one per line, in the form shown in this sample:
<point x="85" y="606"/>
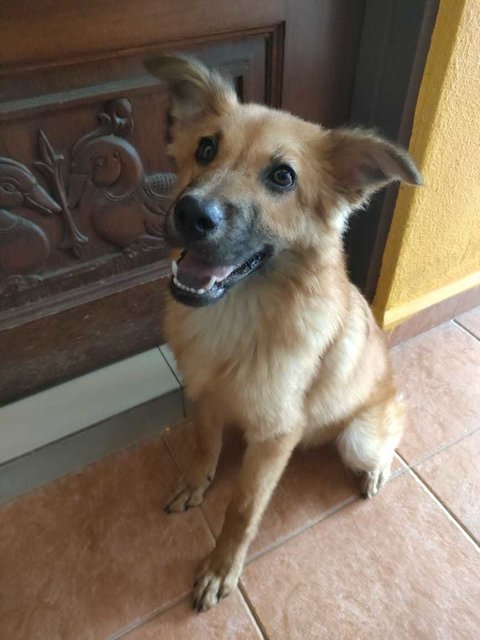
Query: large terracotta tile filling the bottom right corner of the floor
<point x="393" y="567"/>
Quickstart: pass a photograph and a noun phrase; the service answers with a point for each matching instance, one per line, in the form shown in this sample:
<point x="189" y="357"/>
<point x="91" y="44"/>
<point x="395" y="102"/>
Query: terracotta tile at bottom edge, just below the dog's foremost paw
<point x="231" y="621"/>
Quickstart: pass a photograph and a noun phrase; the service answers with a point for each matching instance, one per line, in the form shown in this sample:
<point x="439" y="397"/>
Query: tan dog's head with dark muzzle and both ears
<point x="254" y="183"/>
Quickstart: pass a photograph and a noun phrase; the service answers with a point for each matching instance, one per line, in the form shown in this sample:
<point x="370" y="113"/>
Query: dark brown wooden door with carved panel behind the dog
<point x="84" y="177"/>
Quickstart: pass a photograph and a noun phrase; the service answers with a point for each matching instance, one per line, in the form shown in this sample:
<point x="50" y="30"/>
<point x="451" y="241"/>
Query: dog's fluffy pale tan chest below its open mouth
<point x="252" y="365"/>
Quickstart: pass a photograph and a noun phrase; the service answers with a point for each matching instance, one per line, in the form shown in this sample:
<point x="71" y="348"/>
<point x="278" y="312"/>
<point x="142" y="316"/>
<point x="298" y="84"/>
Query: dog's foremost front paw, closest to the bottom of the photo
<point x="214" y="583"/>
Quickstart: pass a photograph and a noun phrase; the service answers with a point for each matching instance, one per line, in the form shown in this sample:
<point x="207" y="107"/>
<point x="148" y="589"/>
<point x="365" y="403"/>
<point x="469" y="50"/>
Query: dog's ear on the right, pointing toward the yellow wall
<point x="361" y="163"/>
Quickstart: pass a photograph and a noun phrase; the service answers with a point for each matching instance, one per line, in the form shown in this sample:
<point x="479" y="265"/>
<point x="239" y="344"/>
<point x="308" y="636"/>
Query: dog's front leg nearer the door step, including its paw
<point x="197" y="478"/>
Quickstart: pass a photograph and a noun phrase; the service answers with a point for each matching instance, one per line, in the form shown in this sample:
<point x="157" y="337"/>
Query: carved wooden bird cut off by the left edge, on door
<point x="24" y="246"/>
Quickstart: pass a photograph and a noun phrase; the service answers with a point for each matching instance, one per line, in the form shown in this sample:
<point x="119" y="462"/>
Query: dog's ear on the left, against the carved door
<point x="195" y="90"/>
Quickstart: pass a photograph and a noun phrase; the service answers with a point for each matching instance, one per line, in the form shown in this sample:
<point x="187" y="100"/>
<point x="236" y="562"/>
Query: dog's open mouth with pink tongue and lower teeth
<point x="196" y="282"/>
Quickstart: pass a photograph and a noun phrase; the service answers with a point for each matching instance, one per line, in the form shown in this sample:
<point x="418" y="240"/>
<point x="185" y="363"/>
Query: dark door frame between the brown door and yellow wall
<point x="394" y="46"/>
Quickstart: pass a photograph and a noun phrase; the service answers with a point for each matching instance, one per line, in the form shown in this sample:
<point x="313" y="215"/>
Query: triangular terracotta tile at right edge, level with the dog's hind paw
<point x="454" y="476"/>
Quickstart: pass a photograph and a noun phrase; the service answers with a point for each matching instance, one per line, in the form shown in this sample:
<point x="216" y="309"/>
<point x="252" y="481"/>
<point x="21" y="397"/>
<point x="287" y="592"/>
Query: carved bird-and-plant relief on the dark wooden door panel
<point x="102" y="191"/>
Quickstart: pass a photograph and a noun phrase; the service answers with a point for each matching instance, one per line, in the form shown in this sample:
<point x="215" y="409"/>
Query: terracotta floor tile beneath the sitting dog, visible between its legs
<point x="314" y="482"/>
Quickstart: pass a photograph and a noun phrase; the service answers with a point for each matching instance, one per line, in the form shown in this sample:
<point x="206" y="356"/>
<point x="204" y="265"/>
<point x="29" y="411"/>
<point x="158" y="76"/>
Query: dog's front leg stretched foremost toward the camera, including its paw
<point x="262" y="468"/>
